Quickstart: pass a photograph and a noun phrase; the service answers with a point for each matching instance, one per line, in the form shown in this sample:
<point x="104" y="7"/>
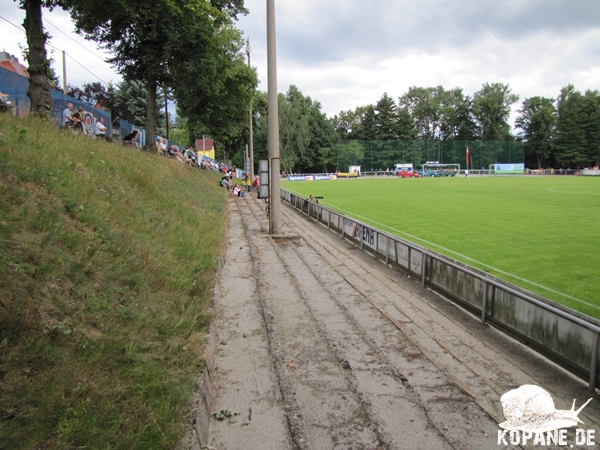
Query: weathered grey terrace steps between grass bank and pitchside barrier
<point x="320" y="346"/>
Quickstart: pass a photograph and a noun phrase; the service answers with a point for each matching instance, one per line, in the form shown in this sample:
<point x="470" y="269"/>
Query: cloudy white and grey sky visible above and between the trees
<point x="347" y="53"/>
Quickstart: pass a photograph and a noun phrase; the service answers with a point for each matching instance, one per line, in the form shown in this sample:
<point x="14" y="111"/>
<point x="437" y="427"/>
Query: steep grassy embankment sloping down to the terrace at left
<point x="106" y="258"/>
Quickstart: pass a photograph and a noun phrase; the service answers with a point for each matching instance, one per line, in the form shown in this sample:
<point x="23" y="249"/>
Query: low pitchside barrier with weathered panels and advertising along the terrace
<point x="565" y="336"/>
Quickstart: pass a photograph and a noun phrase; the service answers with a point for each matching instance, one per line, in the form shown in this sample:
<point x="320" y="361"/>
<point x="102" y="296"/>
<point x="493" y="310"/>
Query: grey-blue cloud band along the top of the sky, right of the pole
<point x="339" y="30"/>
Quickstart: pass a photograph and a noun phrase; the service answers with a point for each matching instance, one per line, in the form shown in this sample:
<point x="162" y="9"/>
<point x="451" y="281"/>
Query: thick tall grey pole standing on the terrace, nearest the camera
<point x="273" y="123"/>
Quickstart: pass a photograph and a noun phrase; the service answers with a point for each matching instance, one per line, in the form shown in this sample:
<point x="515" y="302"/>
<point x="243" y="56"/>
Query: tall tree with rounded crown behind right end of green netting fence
<point x="491" y="109"/>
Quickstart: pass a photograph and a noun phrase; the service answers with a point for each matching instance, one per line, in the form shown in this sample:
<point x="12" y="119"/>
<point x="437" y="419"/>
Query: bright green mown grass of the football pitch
<point x="540" y="233"/>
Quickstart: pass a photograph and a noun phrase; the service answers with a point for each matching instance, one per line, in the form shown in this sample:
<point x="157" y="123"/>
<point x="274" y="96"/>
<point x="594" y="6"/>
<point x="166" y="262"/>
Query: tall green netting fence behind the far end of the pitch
<point x="375" y="155"/>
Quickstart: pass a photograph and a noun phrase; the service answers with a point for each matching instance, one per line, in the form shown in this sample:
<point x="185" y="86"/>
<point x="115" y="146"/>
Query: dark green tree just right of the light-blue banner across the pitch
<point x="537" y="121"/>
